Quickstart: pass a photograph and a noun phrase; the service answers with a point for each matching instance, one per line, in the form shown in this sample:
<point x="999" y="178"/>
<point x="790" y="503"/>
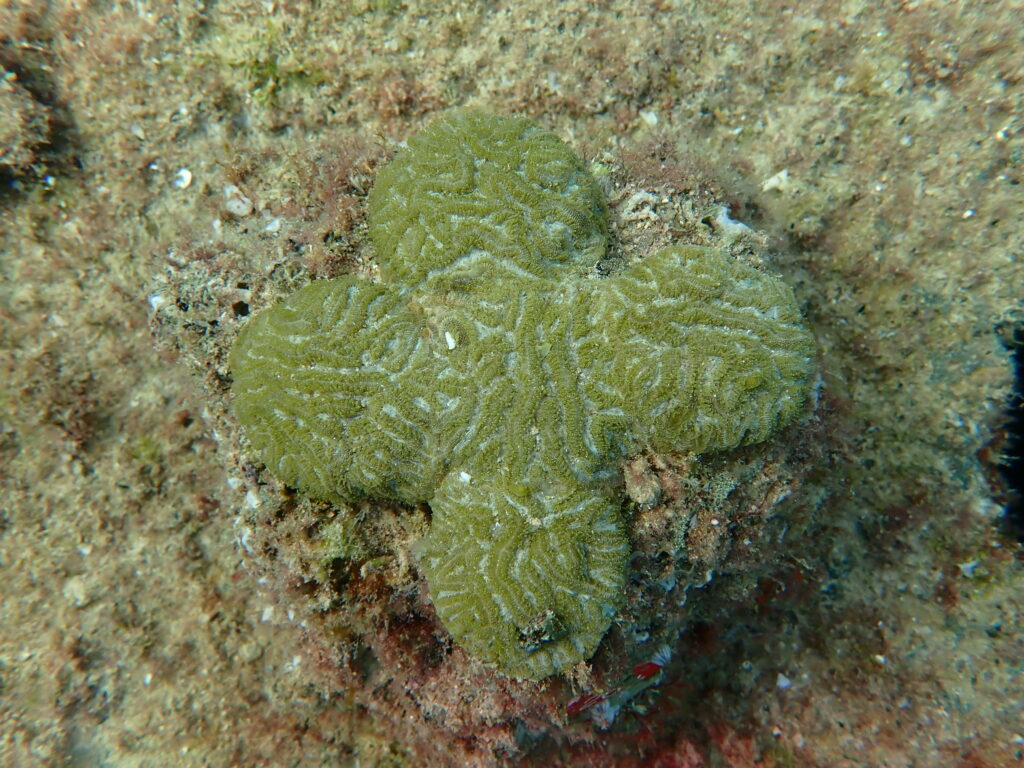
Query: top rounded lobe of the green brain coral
<point x="474" y="186"/>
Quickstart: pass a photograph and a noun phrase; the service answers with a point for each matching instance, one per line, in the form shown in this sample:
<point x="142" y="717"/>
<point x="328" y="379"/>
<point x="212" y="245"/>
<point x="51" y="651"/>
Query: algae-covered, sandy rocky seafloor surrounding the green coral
<point x="845" y="594"/>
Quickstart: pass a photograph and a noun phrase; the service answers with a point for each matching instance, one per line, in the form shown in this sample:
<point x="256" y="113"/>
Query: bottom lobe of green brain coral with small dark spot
<point x="529" y="580"/>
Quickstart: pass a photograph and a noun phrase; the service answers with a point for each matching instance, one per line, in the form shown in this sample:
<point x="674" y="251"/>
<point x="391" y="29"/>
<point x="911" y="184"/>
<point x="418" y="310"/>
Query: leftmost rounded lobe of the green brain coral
<point x="314" y="388"/>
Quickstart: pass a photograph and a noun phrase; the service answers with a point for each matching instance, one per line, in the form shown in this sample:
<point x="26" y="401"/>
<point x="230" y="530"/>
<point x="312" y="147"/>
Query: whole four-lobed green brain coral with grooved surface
<point x="490" y="377"/>
